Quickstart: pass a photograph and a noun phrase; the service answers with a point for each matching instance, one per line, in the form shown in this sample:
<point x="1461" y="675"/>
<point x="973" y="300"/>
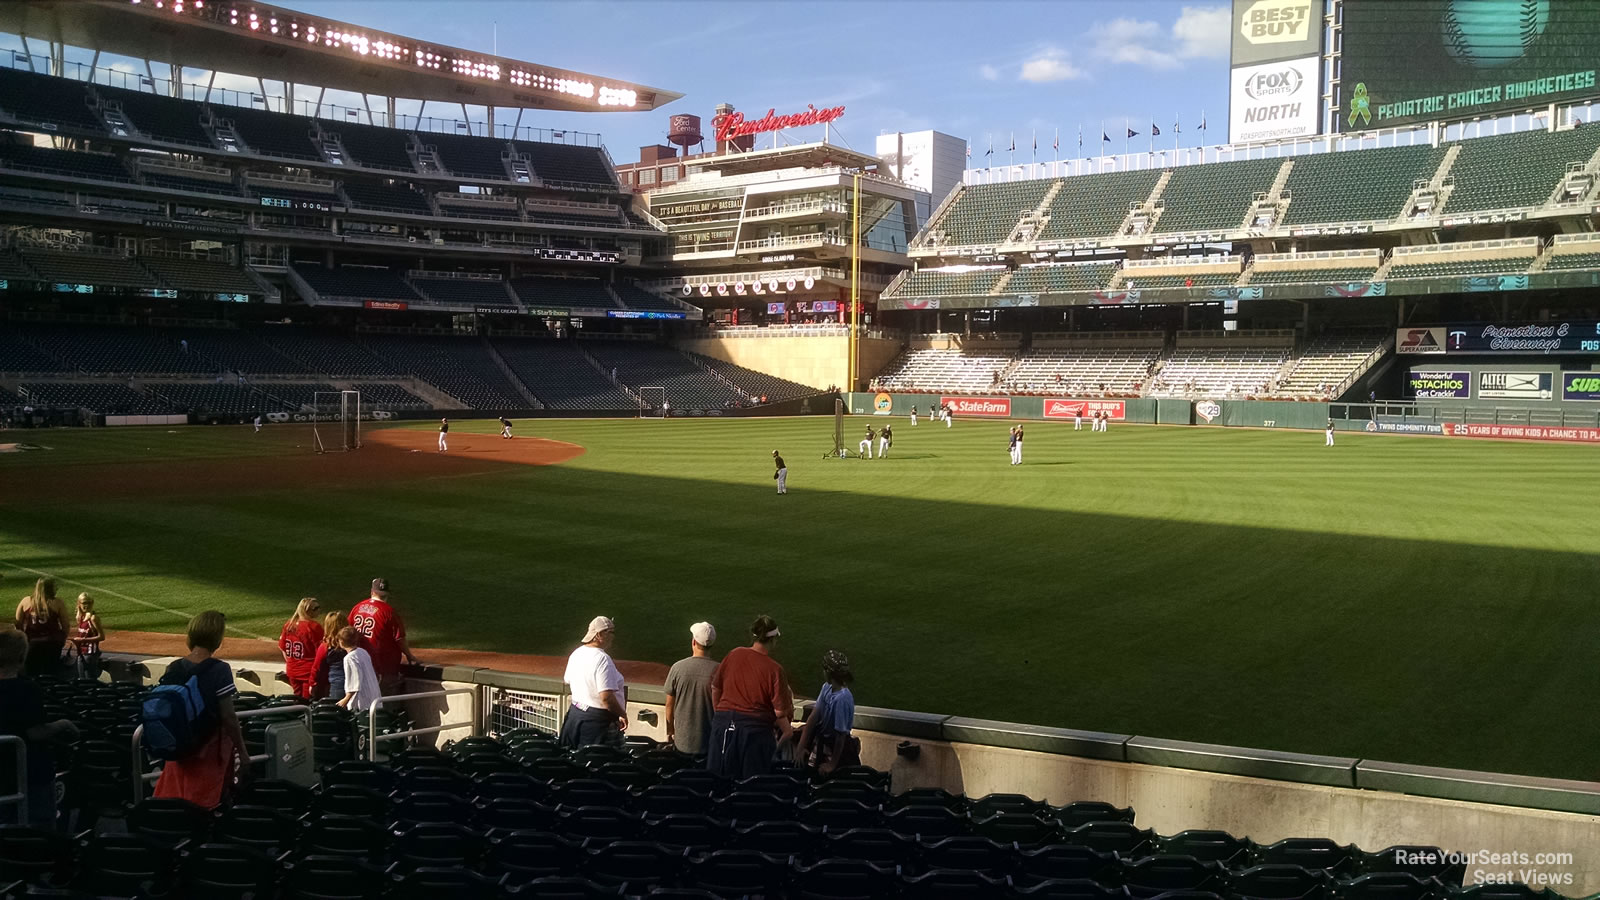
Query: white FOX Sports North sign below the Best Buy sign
<point x="1274" y="102"/>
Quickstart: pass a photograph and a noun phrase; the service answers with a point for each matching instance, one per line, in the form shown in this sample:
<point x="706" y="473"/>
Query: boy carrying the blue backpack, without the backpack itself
<point x="209" y="773"/>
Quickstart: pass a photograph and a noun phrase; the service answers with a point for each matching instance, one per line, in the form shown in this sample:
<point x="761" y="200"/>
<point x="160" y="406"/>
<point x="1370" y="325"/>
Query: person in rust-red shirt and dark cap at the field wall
<point x="754" y="707"/>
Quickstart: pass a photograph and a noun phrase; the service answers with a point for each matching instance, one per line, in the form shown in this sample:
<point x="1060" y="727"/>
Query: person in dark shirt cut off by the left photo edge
<point x="23" y="715"/>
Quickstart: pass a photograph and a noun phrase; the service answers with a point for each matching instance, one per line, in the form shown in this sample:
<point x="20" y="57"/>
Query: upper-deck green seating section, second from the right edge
<point x="1358" y="185"/>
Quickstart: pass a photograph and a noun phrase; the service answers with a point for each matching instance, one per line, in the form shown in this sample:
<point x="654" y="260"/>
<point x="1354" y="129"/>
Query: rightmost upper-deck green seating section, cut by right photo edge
<point x="1516" y="171"/>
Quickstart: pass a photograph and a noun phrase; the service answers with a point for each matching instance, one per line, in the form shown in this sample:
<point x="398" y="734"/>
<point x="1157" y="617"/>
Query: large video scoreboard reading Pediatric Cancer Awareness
<point x="1410" y="62"/>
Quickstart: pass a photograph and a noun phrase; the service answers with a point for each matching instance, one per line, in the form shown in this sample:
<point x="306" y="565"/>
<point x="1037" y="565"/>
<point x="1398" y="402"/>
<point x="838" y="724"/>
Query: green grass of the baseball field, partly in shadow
<point x="1393" y="598"/>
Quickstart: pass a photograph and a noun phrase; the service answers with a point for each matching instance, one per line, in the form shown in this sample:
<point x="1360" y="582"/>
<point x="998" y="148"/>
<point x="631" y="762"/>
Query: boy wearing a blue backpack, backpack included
<point x="190" y="721"/>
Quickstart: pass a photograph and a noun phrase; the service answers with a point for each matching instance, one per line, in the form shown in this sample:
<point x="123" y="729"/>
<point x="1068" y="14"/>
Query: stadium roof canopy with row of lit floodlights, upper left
<point x="279" y="44"/>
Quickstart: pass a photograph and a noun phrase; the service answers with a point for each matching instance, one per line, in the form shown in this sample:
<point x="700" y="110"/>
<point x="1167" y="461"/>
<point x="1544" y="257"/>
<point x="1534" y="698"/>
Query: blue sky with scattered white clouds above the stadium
<point x="964" y="68"/>
